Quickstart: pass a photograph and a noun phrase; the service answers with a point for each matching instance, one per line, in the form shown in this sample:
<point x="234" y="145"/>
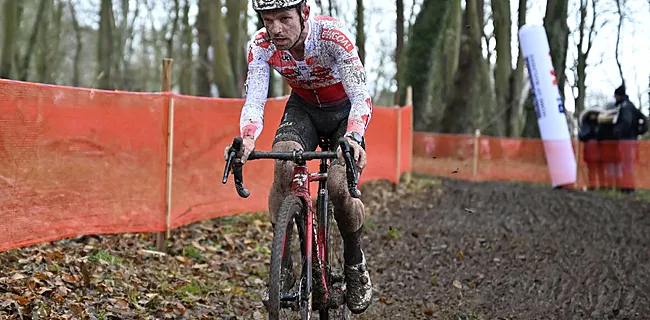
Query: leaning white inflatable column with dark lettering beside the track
<point x="551" y="119"/>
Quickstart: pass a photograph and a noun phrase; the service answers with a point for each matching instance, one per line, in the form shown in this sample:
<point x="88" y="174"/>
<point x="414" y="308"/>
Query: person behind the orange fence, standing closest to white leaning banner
<point x="588" y="134"/>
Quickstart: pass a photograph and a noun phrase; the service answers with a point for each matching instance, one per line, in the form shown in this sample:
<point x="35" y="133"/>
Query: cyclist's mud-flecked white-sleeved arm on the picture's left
<point x="257" y="84"/>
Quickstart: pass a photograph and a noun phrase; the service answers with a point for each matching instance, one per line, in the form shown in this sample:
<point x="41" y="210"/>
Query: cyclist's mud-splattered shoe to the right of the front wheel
<point x="359" y="287"/>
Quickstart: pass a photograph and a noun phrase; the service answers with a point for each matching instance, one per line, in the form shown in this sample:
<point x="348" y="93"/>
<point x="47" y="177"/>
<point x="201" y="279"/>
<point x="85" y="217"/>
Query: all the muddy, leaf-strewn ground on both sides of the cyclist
<point x="437" y="249"/>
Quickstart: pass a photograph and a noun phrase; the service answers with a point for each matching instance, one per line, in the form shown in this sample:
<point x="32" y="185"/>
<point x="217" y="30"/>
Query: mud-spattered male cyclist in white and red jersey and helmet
<point x="329" y="98"/>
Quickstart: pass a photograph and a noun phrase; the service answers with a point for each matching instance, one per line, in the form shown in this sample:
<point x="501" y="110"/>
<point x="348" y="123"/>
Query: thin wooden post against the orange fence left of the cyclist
<point x="162" y="237"/>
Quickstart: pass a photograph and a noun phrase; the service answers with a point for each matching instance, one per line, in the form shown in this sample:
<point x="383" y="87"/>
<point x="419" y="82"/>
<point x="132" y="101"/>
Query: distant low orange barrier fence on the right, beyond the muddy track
<point x="621" y="164"/>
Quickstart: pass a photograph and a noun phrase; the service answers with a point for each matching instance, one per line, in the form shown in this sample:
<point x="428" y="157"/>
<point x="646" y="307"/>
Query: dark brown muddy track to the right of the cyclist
<point x="462" y="250"/>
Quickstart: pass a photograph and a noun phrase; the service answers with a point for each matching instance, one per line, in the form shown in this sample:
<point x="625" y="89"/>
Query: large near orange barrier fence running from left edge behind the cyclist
<point x="80" y="161"/>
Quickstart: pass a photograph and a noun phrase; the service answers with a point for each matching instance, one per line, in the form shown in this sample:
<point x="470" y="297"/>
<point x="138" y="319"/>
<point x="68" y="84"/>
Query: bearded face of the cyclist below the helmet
<point x="283" y="26"/>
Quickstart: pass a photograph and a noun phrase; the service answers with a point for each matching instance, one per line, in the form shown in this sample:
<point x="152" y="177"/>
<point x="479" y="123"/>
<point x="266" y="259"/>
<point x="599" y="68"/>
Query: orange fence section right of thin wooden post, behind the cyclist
<point x="203" y="127"/>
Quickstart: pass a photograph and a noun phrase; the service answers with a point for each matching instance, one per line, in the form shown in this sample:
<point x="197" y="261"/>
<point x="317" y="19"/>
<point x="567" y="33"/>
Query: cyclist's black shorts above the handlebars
<point x="306" y="123"/>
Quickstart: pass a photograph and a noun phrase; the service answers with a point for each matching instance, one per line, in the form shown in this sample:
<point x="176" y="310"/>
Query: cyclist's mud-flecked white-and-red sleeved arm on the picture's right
<point x="353" y="75"/>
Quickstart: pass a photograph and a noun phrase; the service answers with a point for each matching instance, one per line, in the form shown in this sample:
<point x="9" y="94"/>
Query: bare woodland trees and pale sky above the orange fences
<point x="460" y="56"/>
